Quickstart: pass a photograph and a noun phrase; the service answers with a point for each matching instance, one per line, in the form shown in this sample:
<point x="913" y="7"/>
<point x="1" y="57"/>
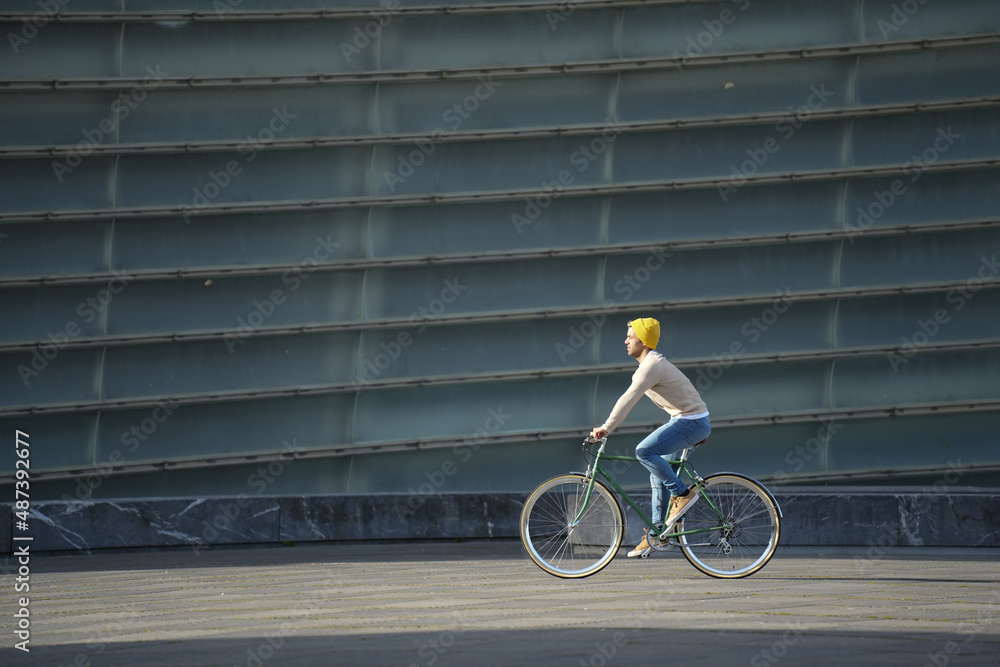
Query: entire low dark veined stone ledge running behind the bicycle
<point x="827" y="517"/>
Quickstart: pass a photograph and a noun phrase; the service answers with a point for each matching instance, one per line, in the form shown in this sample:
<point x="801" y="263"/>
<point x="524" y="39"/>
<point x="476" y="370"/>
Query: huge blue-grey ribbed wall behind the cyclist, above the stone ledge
<point x="404" y="241"/>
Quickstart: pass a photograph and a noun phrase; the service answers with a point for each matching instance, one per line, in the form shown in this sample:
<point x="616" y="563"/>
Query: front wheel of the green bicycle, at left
<point x="565" y="541"/>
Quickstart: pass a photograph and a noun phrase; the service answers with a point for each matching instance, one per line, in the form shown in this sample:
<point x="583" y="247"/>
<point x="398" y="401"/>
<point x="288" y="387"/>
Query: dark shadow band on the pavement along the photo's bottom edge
<point x="567" y="647"/>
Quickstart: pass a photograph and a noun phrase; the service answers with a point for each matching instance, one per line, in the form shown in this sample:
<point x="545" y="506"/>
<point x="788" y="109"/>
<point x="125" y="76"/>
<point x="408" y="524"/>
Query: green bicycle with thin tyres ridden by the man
<point x="572" y="525"/>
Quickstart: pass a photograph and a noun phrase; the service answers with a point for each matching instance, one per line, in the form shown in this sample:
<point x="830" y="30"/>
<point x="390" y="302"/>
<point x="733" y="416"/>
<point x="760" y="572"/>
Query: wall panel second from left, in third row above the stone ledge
<point x="235" y="365"/>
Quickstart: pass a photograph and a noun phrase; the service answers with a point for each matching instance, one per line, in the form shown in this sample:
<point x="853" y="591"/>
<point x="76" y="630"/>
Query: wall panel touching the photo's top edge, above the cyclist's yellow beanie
<point x="741" y="25"/>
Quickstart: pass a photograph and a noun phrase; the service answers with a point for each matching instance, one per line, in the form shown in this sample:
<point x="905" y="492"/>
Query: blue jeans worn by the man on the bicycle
<point x="663" y="443"/>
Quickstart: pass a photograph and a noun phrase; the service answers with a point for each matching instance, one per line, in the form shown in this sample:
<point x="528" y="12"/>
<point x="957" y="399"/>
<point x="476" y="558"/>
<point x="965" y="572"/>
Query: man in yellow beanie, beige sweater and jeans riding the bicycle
<point x="669" y="389"/>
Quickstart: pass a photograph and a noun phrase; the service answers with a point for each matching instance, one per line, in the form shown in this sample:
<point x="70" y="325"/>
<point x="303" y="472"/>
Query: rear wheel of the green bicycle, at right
<point x="741" y="537"/>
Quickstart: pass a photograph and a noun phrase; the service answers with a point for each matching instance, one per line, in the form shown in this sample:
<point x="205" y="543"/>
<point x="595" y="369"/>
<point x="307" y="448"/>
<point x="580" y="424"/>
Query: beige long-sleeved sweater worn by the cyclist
<point x="664" y="384"/>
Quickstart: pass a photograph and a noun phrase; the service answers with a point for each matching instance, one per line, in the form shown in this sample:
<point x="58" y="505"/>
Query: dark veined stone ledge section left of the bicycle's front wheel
<point x="206" y="522"/>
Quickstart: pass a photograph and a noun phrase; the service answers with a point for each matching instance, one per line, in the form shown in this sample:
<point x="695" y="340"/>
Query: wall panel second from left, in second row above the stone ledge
<point x="186" y="431"/>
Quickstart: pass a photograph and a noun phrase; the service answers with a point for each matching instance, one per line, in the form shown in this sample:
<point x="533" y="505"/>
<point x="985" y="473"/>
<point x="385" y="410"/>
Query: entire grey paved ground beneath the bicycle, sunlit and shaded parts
<point x="484" y="603"/>
